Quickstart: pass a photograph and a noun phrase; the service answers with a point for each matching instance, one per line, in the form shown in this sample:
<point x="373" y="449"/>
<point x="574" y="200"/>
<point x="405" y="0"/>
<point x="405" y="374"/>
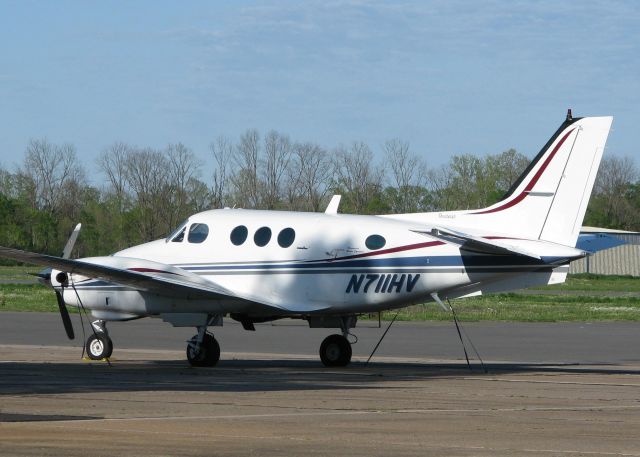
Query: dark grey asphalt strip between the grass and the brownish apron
<point x="587" y="343"/>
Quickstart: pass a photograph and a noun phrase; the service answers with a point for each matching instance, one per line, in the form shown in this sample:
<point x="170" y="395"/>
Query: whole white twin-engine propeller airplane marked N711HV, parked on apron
<point x="329" y="268"/>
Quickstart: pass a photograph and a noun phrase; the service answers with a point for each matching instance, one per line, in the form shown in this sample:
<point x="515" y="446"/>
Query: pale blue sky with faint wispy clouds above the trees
<point x="450" y="77"/>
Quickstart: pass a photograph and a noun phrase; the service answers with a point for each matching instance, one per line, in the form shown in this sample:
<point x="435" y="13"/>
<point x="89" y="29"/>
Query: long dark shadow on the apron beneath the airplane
<point x="20" y="378"/>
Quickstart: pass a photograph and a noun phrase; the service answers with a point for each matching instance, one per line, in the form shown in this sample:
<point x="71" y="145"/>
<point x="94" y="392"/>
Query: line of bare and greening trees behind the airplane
<point x="141" y="194"/>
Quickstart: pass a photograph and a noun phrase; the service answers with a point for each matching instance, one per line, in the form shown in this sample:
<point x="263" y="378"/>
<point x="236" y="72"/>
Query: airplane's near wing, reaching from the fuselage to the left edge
<point x="146" y="276"/>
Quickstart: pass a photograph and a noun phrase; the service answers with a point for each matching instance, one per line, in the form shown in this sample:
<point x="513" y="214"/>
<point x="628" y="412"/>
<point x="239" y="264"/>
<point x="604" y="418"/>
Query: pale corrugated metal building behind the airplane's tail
<point x="621" y="260"/>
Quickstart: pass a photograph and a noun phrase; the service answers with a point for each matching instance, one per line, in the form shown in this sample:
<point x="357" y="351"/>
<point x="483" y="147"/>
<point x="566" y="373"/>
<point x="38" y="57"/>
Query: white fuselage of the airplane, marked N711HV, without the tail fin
<point x="308" y="262"/>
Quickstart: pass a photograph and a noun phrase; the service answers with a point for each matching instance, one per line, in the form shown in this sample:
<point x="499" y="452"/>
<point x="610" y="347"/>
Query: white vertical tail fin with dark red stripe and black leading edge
<point x="549" y="200"/>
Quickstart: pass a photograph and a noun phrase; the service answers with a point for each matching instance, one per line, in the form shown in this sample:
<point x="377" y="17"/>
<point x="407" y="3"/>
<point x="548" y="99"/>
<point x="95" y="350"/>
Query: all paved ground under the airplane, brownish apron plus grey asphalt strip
<point x="262" y="401"/>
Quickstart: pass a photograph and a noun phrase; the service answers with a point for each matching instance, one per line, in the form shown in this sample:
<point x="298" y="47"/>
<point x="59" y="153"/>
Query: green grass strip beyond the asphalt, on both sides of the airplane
<point x="497" y="307"/>
